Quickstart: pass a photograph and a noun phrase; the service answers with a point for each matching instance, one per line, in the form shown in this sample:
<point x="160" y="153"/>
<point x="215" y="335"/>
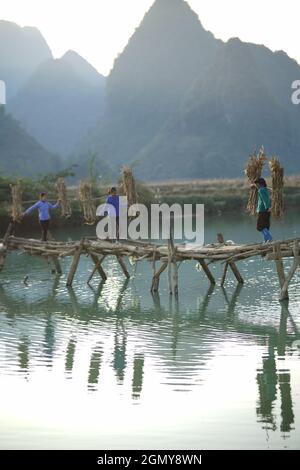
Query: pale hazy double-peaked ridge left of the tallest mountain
<point x="55" y="100"/>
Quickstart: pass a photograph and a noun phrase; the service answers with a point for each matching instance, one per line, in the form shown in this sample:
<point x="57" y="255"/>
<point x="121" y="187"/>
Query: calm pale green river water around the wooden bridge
<point x="111" y="366"/>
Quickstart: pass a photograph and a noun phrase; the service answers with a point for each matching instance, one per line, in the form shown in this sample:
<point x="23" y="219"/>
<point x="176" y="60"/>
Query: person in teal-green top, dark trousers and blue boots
<point x="264" y="210"/>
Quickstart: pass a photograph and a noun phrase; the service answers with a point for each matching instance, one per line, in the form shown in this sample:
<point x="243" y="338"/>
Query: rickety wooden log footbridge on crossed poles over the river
<point x="168" y="255"/>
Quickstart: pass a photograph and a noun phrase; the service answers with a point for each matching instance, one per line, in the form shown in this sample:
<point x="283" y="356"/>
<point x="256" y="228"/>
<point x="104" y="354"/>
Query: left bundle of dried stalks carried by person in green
<point x="253" y="171"/>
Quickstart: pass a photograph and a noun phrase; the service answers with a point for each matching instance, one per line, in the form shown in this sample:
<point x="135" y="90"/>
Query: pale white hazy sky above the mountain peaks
<point x="99" y="29"/>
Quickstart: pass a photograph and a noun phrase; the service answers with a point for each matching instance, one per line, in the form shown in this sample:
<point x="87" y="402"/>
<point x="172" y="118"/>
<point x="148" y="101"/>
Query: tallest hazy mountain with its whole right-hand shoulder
<point x="182" y="104"/>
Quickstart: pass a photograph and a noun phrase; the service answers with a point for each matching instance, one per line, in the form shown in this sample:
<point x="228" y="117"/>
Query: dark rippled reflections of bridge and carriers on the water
<point x="273" y="383"/>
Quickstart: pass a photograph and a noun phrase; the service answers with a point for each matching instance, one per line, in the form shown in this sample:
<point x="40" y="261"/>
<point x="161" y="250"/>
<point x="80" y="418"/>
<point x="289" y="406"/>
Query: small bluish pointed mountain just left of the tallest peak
<point x="60" y="102"/>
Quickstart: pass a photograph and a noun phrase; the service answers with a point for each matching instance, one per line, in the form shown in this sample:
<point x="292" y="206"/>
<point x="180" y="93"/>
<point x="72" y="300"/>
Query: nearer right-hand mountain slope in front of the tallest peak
<point x="227" y="114"/>
